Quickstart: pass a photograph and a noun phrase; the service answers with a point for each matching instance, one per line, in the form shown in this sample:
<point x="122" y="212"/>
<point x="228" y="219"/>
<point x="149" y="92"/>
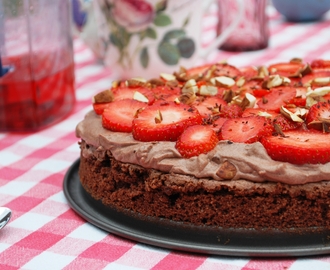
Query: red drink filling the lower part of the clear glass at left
<point x="28" y="104"/>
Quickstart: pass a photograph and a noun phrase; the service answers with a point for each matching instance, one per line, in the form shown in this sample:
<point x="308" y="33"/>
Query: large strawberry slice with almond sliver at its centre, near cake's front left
<point x="164" y="122"/>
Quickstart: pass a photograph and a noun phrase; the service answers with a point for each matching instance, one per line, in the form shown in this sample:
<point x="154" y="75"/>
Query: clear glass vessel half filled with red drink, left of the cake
<point x="37" y="78"/>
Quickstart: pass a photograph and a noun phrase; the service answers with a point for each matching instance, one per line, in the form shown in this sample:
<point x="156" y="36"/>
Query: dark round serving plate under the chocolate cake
<point x="184" y="237"/>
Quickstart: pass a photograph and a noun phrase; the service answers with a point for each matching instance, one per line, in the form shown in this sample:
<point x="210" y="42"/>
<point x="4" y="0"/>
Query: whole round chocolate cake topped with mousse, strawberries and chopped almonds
<point x="214" y="145"/>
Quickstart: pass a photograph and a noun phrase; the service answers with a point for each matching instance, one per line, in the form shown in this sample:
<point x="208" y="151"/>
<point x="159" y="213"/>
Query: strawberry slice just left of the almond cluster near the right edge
<point x="276" y="98"/>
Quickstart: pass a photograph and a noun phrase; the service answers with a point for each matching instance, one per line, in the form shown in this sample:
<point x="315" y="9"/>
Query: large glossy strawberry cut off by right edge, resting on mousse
<point x="299" y="147"/>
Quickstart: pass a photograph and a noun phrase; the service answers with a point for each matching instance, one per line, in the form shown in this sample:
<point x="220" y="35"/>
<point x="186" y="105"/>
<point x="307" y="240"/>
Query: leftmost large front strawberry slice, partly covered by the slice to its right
<point x="118" y="115"/>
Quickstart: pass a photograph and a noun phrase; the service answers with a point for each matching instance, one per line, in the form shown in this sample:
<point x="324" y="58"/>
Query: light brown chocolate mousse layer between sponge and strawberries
<point x="226" y="161"/>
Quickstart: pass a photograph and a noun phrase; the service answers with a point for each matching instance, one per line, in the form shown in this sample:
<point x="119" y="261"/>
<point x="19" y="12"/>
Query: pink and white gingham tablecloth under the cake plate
<point x="45" y="233"/>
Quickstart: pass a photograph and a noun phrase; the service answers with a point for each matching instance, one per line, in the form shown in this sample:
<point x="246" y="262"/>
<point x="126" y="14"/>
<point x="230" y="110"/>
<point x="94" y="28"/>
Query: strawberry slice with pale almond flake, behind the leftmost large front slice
<point x="133" y="92"/>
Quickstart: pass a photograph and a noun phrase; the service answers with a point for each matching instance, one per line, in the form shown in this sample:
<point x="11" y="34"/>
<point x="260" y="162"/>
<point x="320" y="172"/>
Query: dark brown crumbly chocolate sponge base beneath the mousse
<point x="227" y="204"/>
